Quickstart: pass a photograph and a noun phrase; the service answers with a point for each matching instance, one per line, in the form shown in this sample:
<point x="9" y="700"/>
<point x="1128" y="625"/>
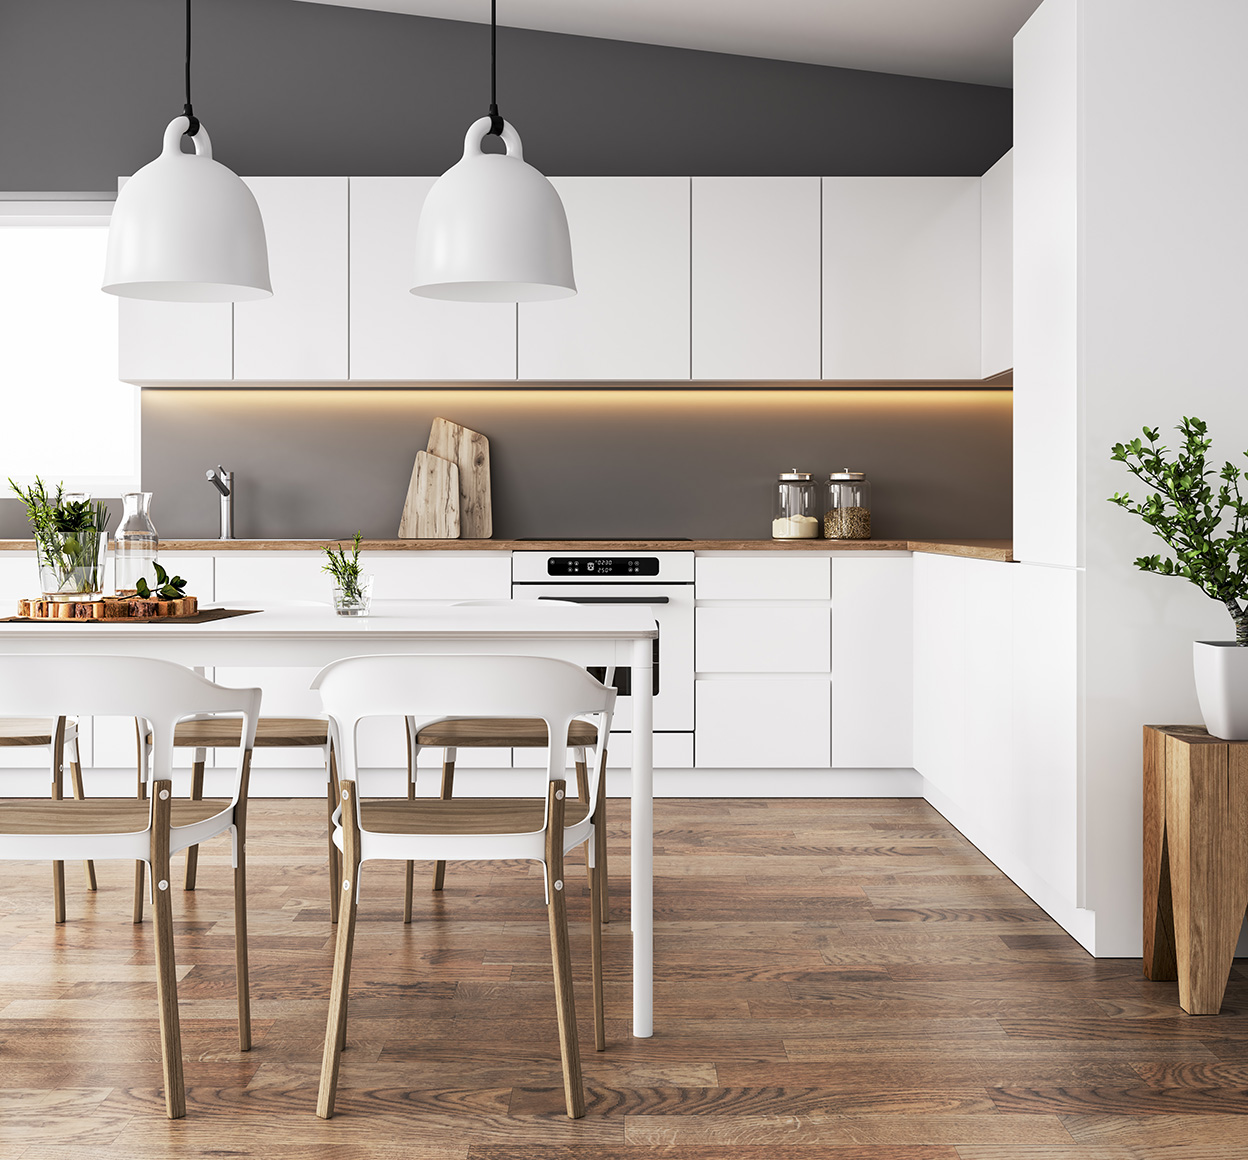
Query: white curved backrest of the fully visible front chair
<point x="430" y="689"/>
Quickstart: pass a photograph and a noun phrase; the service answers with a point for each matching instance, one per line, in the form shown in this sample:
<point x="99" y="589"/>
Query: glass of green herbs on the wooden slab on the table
<point x="71" y="540"/>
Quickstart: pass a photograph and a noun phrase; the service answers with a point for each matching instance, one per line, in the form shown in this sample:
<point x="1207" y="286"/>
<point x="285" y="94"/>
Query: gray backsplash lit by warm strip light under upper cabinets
<point x="575" y="464"/>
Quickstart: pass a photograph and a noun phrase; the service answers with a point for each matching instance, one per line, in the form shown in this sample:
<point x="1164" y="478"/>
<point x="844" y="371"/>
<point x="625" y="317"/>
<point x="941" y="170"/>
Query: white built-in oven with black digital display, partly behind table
<point x="665" y="581"/>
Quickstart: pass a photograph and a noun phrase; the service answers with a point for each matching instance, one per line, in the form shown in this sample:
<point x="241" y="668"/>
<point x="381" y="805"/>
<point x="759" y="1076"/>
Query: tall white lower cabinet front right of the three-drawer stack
<point x="873" y="664"/>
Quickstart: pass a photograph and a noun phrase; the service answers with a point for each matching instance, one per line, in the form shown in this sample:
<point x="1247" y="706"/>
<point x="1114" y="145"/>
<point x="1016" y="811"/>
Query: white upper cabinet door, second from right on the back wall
<point x="756" y="278"/>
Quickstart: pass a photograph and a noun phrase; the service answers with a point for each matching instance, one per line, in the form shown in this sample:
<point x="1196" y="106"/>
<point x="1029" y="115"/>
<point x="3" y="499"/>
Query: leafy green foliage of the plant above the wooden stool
<point x="1197" y="511"/>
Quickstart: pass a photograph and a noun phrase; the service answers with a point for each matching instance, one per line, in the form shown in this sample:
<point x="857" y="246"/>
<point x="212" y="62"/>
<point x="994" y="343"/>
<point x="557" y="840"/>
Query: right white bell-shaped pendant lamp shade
<point x="494" y="230"/>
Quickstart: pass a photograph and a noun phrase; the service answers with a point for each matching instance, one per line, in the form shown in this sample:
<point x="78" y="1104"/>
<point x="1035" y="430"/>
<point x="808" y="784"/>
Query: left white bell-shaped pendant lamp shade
<point x="185" y="229"/>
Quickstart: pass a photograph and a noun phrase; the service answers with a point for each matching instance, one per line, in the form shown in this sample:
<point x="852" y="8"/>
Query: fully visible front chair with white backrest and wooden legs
<point x="540" y="830"/>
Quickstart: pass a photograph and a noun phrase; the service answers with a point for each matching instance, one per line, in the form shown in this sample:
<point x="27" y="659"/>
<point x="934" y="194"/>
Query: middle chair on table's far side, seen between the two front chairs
<point x="271" y="734"/>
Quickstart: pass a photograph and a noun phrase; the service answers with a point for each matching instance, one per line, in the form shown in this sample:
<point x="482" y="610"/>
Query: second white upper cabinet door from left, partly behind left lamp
<point x="300" y="334"/>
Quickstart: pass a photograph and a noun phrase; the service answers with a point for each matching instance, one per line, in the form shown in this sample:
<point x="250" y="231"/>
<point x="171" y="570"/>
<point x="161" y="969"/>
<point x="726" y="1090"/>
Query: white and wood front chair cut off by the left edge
<point x="160" y="694"/>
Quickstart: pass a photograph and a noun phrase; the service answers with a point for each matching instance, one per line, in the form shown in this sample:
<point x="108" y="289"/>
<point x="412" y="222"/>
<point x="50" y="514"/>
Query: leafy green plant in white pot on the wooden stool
<point x="1202" y="518"/>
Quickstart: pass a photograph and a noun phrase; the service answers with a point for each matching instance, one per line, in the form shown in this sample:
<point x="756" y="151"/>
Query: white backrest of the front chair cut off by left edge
<point x="159" y="692"/>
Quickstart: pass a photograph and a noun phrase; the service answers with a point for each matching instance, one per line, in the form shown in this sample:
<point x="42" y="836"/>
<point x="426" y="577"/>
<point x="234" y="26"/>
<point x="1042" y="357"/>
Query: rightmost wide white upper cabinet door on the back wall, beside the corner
<point x="902" y="278"/>
